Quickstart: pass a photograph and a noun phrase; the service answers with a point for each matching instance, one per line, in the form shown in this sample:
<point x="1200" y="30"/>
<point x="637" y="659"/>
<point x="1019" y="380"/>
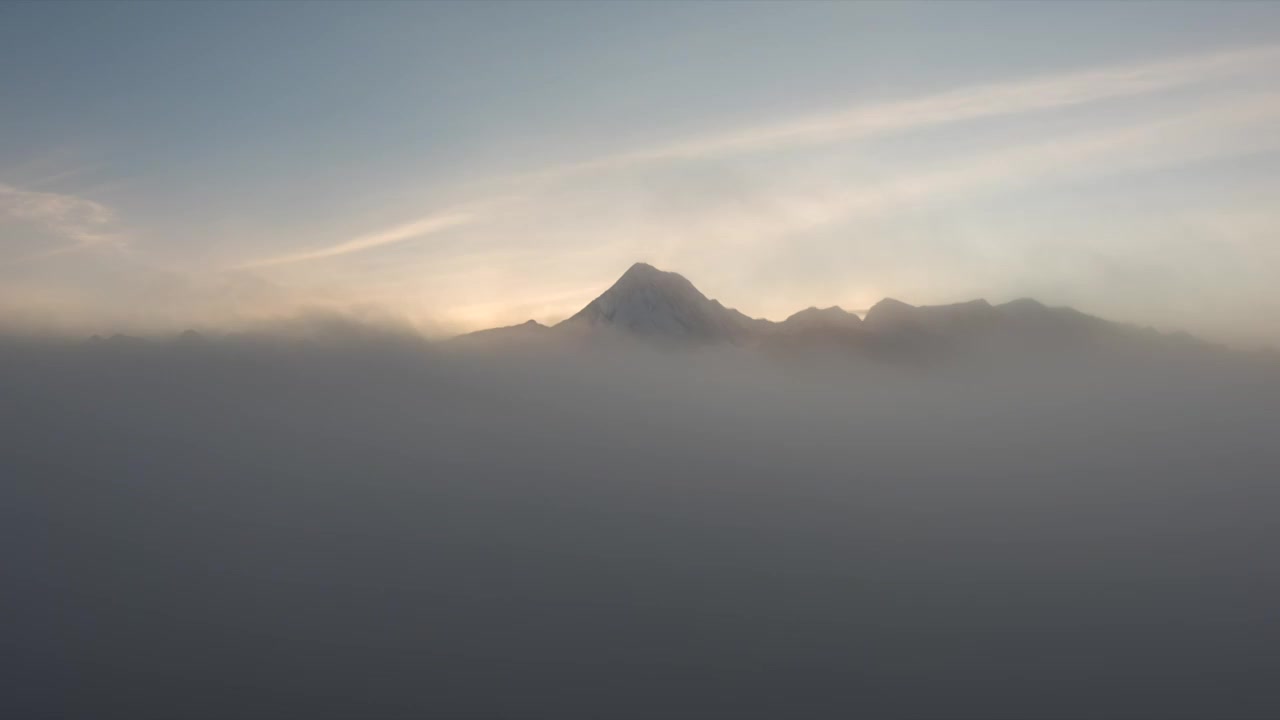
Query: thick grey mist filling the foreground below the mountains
<point x="358" y="525"/>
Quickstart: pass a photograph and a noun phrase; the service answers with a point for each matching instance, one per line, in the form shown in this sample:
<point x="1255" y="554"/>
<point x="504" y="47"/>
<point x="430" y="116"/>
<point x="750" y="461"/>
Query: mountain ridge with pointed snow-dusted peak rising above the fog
<point x="665" y="308"/>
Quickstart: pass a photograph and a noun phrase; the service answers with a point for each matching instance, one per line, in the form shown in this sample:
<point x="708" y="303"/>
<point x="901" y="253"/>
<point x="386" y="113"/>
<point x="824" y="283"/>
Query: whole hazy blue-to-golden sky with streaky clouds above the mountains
<point x="176" y="165"/>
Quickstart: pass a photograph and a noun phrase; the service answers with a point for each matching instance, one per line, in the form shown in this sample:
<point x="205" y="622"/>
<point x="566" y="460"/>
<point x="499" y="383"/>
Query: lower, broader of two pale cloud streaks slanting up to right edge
<point x="1231" y="129"/>
